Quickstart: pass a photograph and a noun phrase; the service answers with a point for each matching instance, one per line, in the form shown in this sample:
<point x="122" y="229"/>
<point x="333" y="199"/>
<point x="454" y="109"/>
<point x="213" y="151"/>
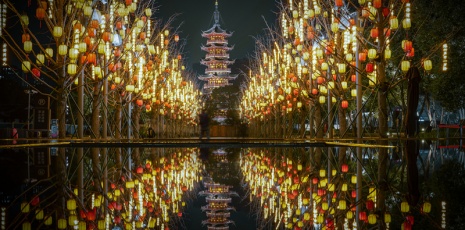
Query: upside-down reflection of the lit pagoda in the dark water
<point x="218" y="197"/>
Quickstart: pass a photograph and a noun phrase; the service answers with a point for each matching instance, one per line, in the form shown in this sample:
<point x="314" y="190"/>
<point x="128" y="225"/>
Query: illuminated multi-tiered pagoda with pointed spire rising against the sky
<point x="217" y="73"/>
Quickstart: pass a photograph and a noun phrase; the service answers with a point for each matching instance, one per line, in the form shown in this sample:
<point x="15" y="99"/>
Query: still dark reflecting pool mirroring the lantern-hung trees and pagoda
<point x="231" y="187"/>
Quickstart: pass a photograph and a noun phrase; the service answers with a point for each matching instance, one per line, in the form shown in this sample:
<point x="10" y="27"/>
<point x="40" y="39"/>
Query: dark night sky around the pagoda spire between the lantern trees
<point x="243" y="17"/>
